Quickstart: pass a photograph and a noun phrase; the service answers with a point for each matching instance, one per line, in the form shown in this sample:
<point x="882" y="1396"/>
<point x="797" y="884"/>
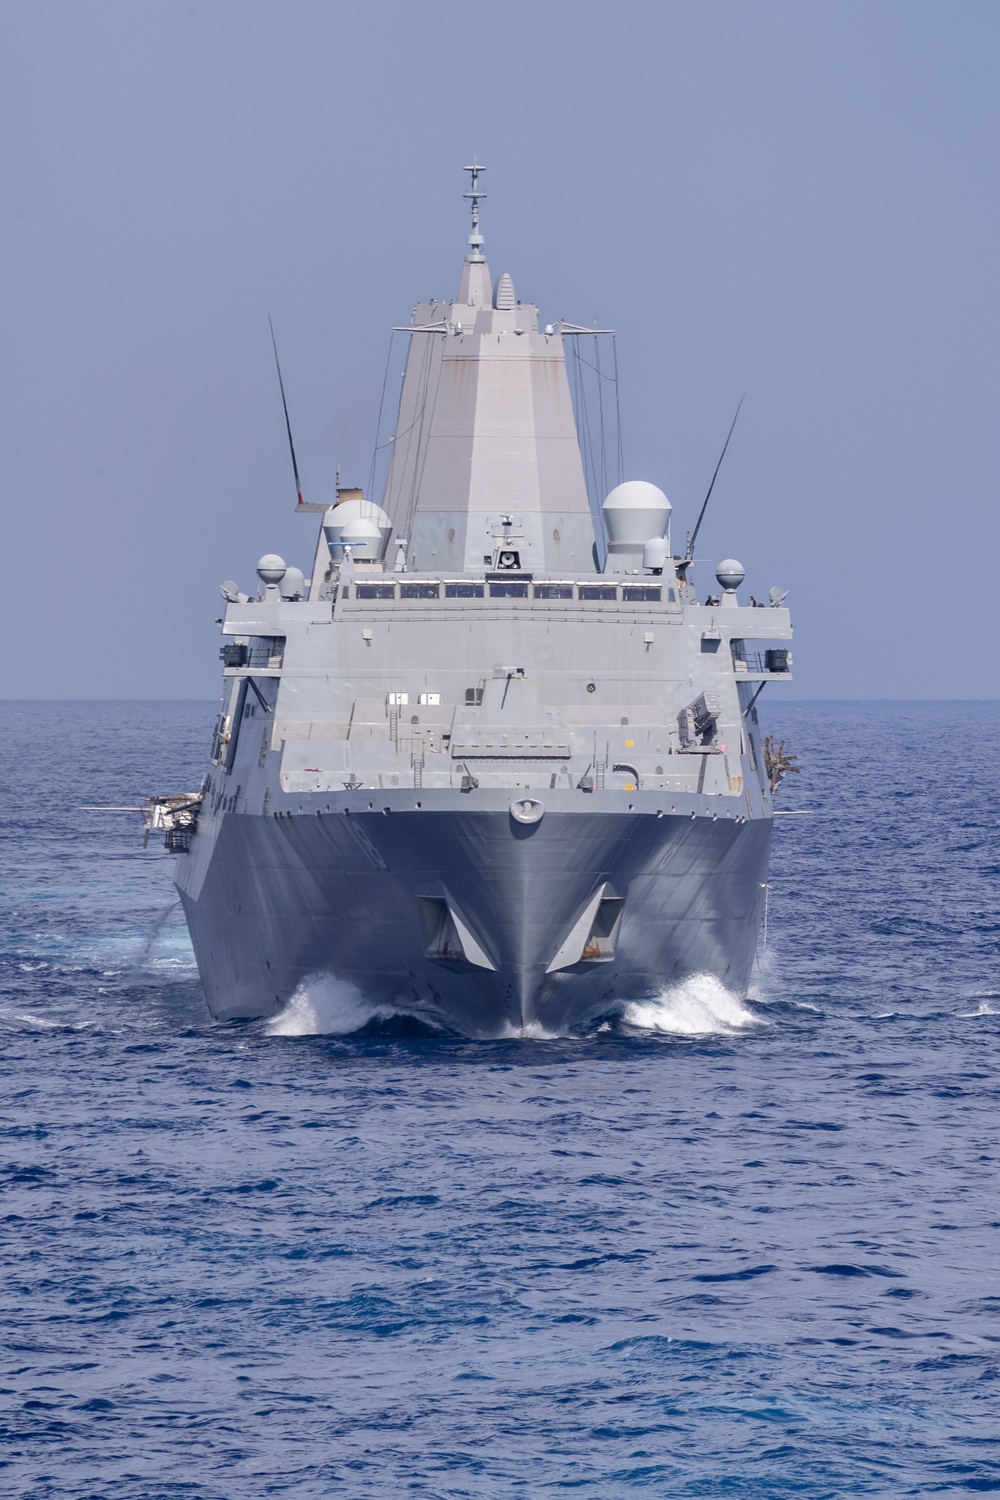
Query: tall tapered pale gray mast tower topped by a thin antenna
<point x="487" y="439"/>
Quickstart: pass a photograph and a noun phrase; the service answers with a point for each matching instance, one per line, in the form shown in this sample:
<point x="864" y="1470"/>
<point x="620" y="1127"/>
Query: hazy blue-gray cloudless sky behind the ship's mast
<point x="798" y="200"/>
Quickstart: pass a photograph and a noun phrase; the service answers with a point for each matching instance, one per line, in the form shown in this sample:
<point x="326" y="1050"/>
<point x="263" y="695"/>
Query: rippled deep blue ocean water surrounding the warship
<point x="716" y="1247"/>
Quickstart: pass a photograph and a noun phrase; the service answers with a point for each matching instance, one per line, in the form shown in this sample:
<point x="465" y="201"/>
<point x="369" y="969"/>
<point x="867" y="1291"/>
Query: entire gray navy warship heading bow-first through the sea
<point x="491" y="761"/>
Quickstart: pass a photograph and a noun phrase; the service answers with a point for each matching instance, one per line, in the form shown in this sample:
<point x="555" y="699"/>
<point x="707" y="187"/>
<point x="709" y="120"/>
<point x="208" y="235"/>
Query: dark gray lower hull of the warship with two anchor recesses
<point x="452" y="908"/>
